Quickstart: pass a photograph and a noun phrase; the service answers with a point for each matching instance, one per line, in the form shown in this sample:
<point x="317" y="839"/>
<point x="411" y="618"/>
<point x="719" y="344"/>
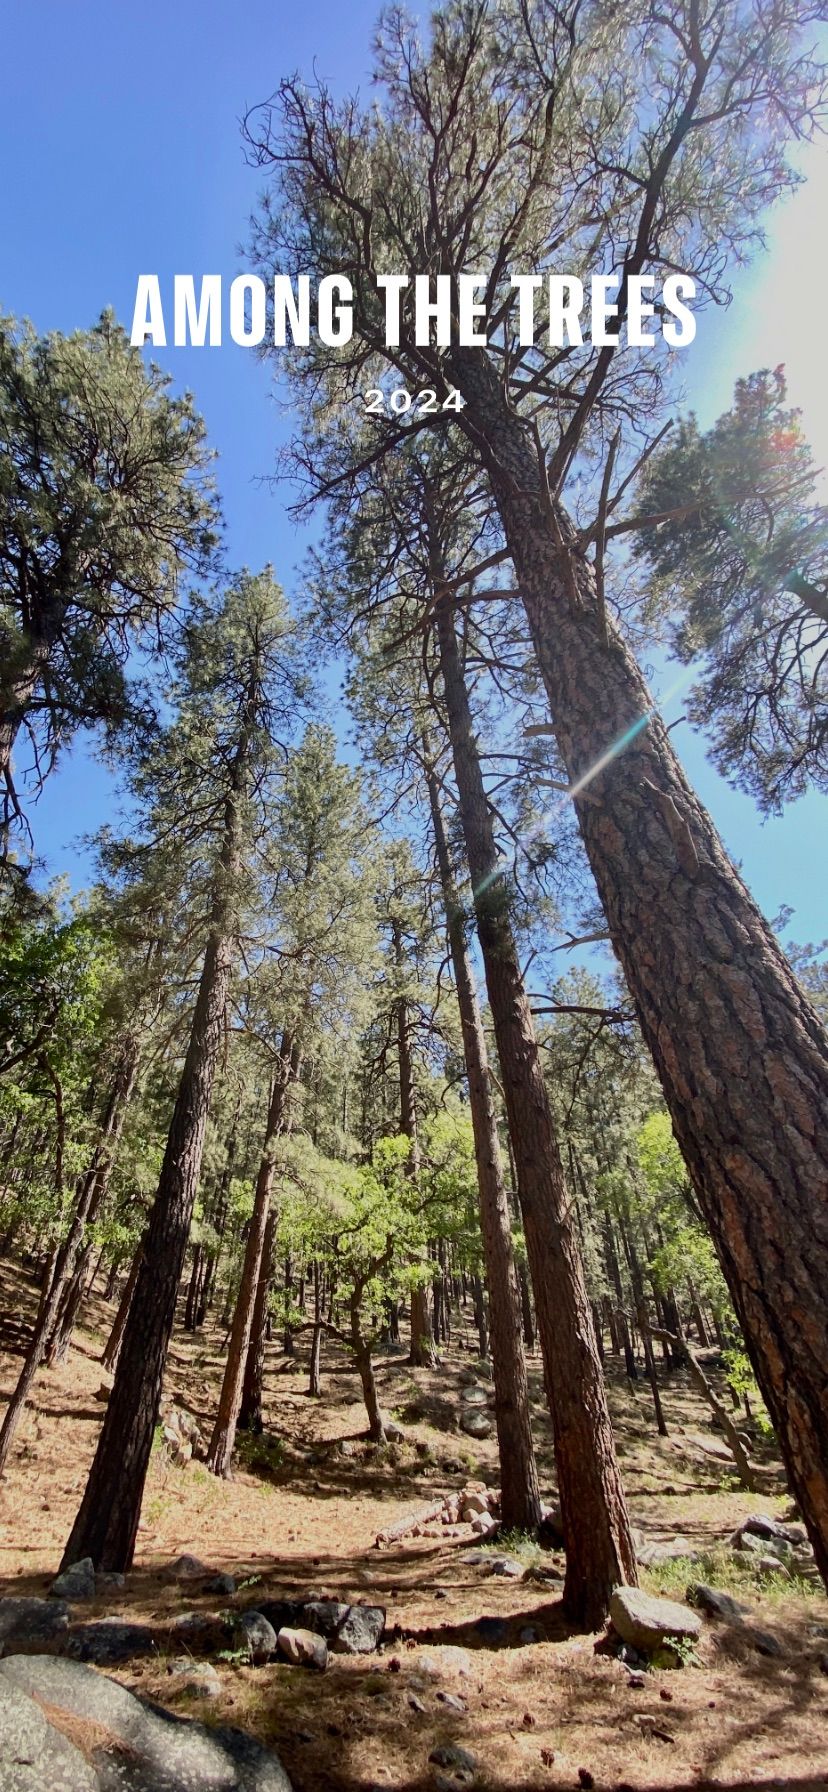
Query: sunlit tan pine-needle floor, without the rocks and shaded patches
<point x="302" y="1515"/>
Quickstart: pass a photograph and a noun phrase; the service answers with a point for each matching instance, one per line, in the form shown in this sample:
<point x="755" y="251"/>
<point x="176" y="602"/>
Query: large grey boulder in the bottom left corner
<point x="148" y="1750"/>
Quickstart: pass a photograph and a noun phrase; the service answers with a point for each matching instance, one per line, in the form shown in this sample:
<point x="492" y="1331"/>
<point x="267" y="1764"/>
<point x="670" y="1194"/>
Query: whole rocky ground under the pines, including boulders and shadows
<point x="268" y="1614"/>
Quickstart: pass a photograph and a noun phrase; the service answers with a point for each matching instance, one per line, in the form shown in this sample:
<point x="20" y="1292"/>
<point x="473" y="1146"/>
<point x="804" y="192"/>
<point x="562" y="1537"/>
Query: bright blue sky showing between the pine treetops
<point x="121" y="137"/>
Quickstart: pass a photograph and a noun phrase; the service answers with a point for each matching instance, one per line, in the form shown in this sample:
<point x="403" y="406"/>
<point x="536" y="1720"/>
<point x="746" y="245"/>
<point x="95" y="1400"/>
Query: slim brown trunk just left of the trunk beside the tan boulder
<point x="519" y="1474"/>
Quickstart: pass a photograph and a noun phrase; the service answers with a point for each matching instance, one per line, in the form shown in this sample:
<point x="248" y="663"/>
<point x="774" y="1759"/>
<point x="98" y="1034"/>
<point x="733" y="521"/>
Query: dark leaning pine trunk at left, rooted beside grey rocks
<point x="107" y="1524"/>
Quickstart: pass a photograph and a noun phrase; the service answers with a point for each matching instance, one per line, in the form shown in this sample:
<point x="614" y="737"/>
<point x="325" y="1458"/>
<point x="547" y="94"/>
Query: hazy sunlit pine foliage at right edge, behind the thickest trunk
<point x="741" y="574"/>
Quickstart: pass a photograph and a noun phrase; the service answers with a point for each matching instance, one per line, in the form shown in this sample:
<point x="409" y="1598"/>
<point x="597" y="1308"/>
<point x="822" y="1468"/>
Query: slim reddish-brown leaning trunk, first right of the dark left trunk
<point x="230" y="1400"/>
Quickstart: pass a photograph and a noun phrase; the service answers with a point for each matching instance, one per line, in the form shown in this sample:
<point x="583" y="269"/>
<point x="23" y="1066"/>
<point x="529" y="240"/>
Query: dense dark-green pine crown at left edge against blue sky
<point x="105" y="506"/>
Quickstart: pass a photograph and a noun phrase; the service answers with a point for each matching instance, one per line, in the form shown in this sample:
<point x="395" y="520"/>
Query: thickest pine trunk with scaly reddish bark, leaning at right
<point x="739" y="1051"/>
